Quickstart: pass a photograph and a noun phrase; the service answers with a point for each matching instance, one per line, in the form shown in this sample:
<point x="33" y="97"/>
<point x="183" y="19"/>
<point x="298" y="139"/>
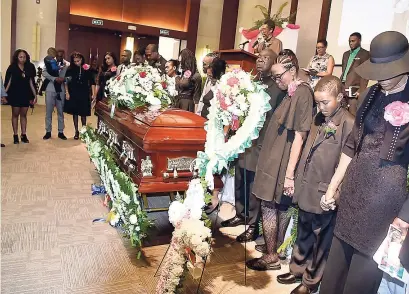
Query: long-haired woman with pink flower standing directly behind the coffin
<point x="189" y="84"/>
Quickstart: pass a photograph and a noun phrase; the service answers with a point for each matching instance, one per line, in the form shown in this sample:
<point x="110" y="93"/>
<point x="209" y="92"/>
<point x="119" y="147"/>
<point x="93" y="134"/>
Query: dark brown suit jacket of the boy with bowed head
<point x="320" y="159"/>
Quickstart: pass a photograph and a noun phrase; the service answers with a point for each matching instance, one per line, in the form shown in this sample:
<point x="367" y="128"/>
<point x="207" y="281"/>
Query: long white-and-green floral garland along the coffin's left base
<point x="122" y="193"/>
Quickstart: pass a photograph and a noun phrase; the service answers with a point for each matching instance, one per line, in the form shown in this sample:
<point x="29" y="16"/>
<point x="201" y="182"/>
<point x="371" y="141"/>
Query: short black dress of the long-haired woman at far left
<point x="19" y="93"/>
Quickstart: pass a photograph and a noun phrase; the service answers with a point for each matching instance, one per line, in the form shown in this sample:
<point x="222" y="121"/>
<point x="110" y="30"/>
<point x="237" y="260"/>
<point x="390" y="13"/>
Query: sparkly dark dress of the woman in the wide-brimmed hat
<point x="374" y="189"/>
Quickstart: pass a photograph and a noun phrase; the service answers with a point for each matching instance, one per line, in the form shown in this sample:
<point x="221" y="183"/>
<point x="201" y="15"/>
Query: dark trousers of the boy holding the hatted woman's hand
<point x="311" y="249"/>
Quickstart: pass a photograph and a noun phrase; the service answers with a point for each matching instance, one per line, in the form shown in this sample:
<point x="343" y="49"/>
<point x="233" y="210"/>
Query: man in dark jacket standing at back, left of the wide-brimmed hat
<point x="353" y="83"/>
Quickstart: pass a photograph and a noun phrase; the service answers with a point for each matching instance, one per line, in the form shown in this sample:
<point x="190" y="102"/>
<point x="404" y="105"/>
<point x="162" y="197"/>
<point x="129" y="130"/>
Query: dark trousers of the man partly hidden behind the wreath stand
<point x="243" y="193"/>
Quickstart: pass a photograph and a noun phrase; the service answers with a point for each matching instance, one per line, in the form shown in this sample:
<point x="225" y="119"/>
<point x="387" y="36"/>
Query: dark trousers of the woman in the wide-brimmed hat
<point x="349" y="271"/>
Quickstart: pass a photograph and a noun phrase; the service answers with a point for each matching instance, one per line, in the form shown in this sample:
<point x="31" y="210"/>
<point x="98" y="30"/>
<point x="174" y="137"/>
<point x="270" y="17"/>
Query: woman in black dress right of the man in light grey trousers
<point x="78" y="96"/>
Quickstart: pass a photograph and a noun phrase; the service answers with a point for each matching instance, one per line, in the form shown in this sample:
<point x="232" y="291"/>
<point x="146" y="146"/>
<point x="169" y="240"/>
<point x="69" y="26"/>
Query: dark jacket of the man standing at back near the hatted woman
<point x="353" y="79"/>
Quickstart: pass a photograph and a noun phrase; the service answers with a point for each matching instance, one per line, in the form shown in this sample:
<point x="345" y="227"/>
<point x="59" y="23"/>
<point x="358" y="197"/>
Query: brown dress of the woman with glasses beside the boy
<point x="293" y="114"/>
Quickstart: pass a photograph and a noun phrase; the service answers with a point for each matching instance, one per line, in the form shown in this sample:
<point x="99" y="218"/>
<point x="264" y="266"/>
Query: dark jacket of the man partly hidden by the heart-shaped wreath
<point x="252" y="153"/>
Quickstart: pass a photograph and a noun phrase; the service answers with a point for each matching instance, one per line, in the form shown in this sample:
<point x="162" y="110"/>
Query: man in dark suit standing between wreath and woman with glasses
<point x="248" y="161"/>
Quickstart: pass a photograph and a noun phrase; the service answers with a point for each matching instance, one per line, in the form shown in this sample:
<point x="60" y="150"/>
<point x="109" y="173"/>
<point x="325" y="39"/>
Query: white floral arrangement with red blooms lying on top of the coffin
<point x="140" y="85"/>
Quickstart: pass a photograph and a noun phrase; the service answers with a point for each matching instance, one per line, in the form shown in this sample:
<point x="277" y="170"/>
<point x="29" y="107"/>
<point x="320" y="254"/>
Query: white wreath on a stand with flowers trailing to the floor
<point x="241" y="105"/>
